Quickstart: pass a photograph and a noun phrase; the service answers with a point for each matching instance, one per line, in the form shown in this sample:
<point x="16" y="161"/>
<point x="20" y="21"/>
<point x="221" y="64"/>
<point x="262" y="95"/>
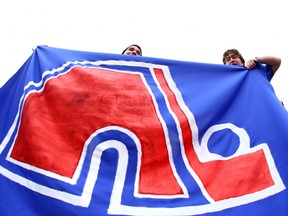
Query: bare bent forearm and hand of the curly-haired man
<point x="274" y="62"/>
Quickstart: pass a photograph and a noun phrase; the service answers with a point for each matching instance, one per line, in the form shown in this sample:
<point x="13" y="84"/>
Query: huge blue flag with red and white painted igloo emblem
<point x="87" y="133"/>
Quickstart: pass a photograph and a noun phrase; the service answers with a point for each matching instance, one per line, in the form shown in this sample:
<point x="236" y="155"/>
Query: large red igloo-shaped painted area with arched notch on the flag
<point x="57" y="121"/>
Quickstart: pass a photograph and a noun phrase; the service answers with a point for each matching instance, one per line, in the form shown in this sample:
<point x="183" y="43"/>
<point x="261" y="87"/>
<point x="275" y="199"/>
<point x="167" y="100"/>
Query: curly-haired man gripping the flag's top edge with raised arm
<point x="234" y="57"/>
